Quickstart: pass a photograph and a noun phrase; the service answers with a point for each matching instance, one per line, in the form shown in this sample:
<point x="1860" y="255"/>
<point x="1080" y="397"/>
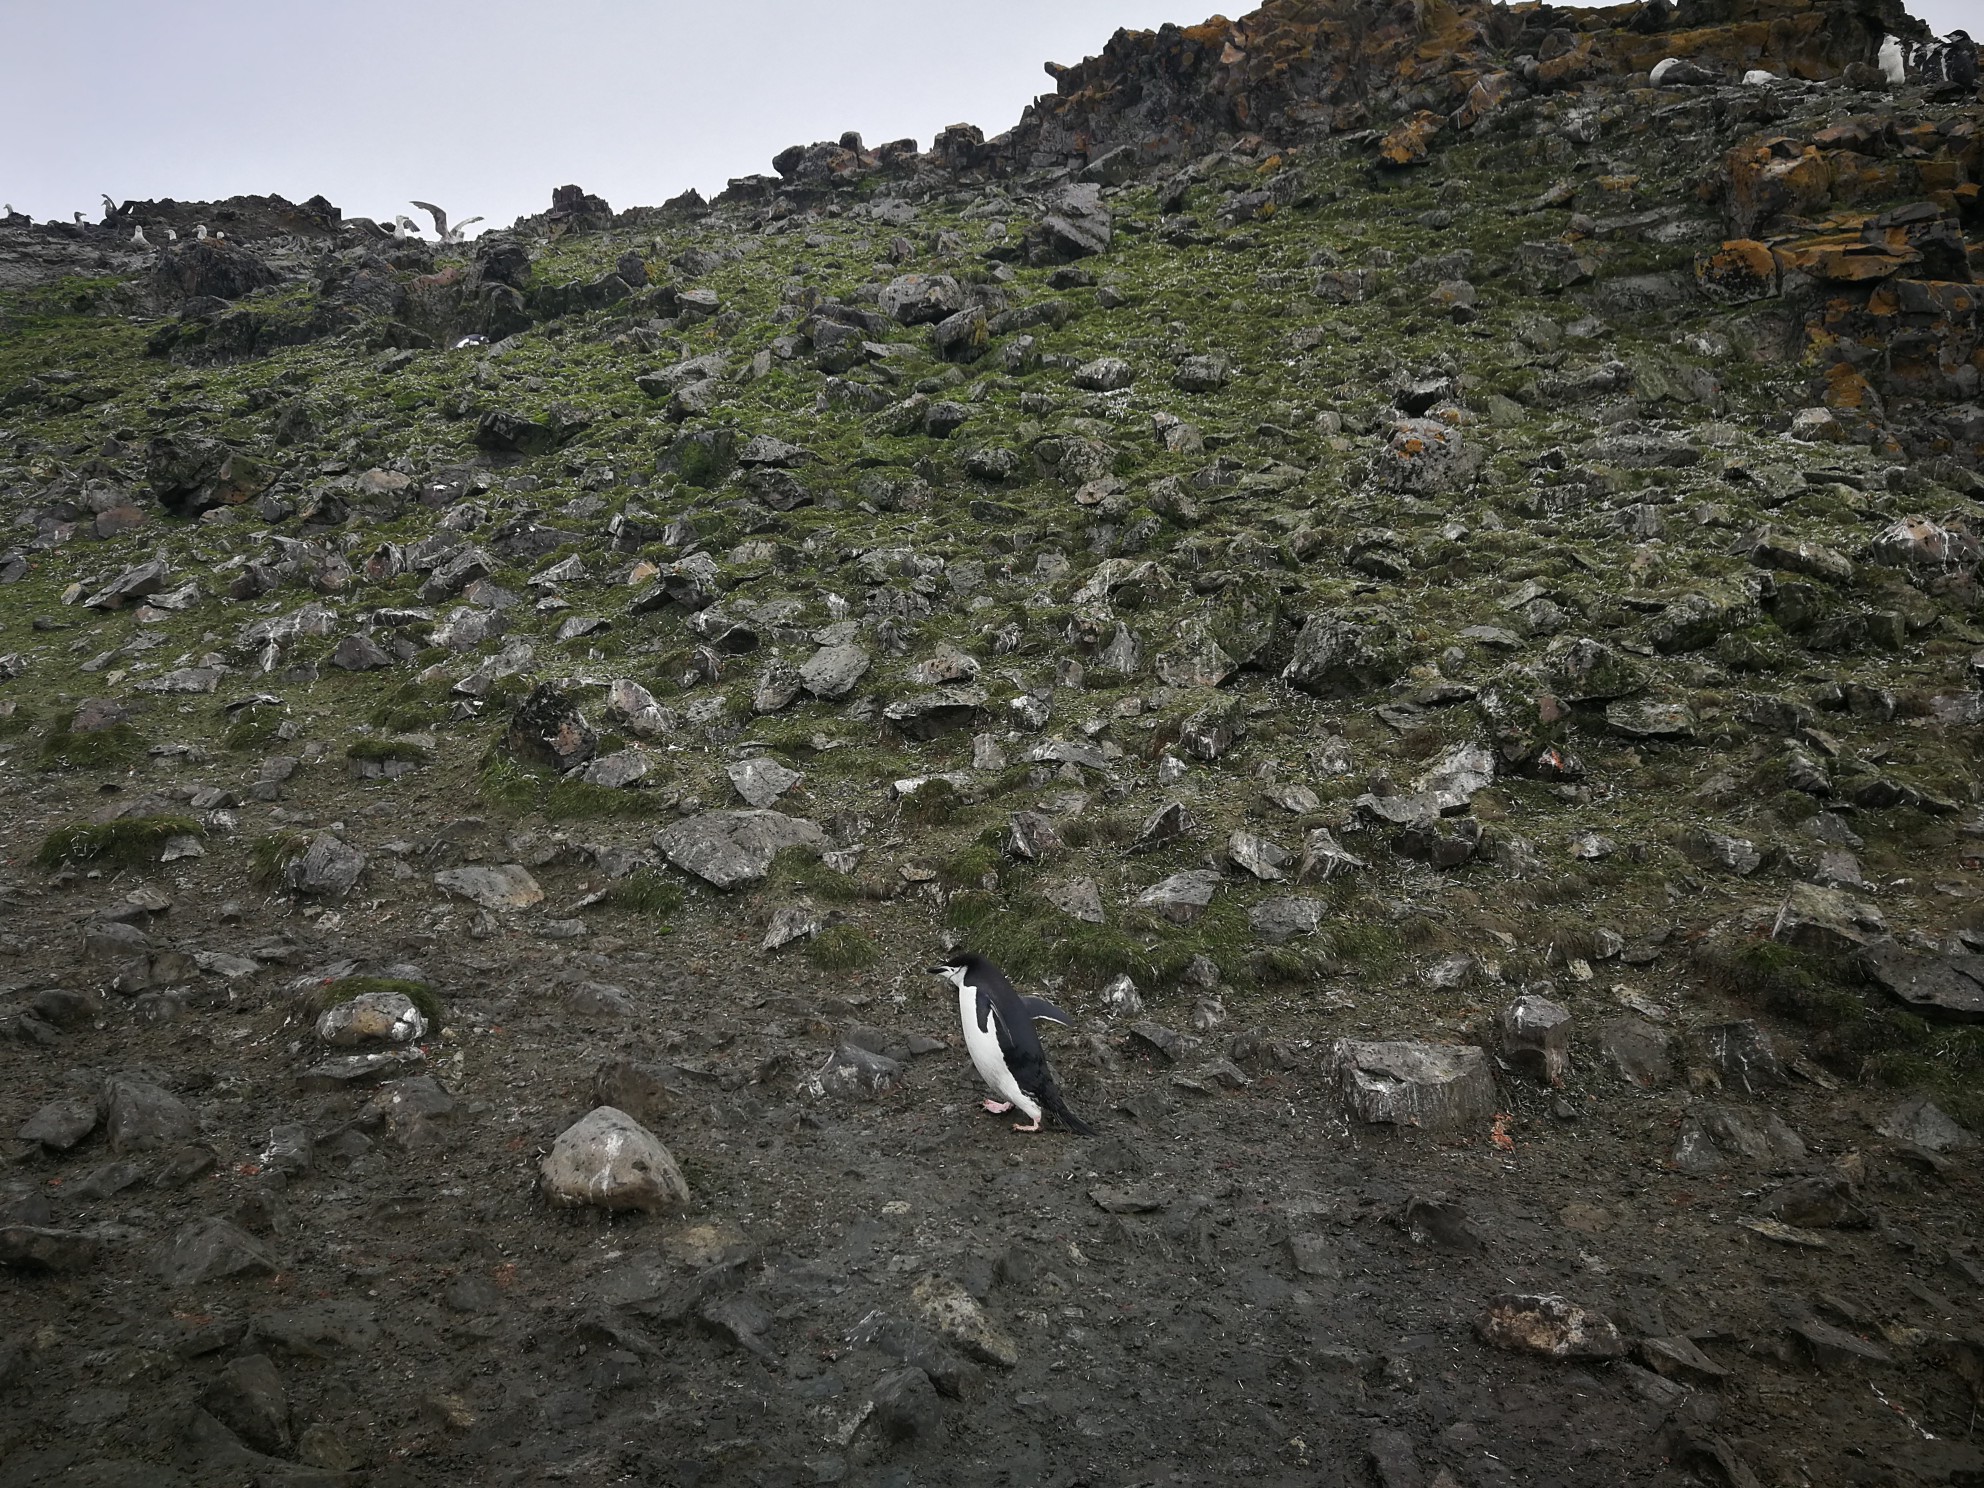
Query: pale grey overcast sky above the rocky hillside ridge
<point x="483" y="106"/>
